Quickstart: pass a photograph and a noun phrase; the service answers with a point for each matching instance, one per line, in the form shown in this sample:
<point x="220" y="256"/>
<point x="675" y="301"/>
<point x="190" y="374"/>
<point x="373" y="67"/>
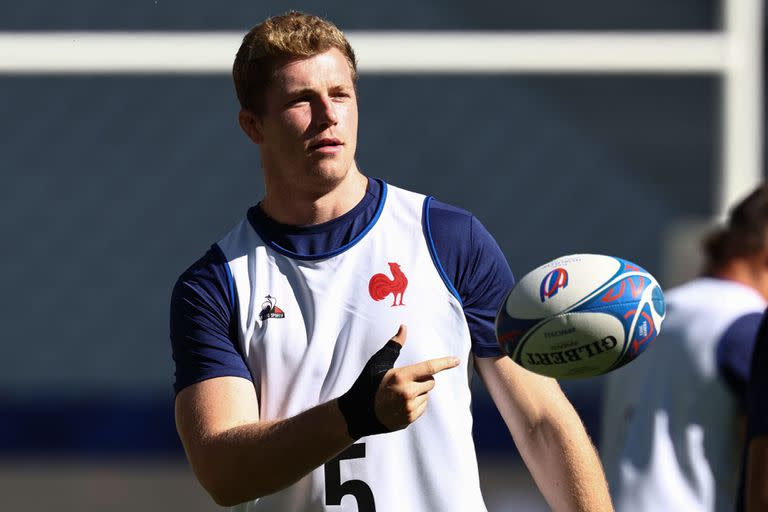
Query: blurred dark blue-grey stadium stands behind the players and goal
<point x="114" y="182"/>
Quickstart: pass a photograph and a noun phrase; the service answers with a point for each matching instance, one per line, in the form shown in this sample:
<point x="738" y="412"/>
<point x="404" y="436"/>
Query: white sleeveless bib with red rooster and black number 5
<point x="308" y="326"/>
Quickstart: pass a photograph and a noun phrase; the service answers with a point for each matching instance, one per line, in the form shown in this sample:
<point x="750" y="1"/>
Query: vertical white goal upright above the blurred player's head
<point x="742" y="166"/>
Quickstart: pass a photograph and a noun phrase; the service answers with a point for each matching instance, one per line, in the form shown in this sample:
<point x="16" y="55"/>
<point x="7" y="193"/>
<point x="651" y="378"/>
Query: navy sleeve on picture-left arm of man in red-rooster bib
<point x="203" y="316"/>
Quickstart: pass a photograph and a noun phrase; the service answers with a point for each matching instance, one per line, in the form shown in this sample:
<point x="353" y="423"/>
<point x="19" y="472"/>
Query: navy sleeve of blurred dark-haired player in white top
<point x="734" y="353"/>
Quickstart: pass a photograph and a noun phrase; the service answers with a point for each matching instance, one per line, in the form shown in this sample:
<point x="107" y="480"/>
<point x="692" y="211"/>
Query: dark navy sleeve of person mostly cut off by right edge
<point x="757" y="385"/>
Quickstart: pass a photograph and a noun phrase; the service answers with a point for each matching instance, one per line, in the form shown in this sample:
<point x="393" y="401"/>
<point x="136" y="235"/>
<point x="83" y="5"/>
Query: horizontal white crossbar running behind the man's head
<point x="381" y="52"/>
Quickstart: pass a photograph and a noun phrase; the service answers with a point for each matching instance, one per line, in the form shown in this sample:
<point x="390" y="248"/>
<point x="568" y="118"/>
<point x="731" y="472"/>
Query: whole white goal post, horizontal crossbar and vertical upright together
<point x="734" y="53"/>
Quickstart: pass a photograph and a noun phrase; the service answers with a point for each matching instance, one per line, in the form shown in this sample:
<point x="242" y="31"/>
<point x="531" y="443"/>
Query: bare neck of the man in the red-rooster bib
<point x="300" y="207"/>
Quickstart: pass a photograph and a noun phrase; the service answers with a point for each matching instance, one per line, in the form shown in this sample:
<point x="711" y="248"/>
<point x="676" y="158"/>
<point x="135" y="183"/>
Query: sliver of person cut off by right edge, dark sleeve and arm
<point x="754" y="486"/>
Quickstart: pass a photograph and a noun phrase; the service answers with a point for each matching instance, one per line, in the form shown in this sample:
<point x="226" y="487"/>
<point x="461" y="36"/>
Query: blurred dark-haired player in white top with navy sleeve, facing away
<point x="673" y="421"/>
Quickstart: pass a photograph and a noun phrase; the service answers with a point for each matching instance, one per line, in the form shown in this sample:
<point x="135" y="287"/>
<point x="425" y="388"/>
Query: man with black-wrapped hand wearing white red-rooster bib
<point x="289" y="396"/>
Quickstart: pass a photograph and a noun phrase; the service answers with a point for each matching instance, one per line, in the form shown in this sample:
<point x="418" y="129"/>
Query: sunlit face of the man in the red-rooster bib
<point x="308" y="130"/>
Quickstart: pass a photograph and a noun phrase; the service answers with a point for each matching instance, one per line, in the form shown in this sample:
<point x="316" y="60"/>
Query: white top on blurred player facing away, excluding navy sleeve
<point x="669" y="437"/>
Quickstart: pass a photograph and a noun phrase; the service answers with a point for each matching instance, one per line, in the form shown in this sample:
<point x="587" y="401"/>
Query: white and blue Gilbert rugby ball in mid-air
<point x="580" y="315"/>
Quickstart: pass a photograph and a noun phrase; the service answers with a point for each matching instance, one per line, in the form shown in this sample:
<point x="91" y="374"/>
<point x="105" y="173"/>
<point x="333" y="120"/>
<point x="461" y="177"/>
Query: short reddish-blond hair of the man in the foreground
<point x="291" y="35"/>
